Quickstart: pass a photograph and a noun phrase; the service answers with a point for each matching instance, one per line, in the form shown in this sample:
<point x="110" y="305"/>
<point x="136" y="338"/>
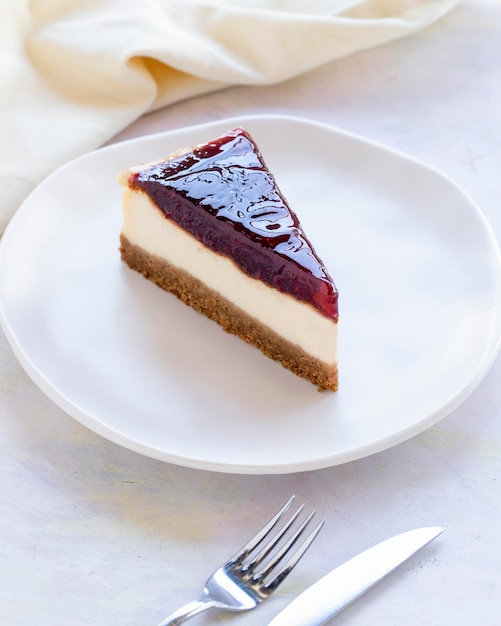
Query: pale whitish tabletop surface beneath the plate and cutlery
<point x="91" y="534"/>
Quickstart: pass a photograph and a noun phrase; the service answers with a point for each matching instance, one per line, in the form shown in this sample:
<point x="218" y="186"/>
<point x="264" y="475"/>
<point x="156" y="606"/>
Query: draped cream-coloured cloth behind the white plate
<point x="73" y="73"/>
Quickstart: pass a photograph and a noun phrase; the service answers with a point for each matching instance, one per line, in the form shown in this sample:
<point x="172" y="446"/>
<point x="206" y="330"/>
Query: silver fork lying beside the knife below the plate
<point x="255" y="571"/>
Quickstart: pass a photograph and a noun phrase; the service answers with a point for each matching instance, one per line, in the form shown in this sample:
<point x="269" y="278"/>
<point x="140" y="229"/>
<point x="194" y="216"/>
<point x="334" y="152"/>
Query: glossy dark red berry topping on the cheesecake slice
<point x="228" y="179"/>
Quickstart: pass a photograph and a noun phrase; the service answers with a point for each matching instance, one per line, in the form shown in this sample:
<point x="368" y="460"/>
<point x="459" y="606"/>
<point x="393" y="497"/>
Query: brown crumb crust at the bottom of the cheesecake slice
<point x="232" y="319"/>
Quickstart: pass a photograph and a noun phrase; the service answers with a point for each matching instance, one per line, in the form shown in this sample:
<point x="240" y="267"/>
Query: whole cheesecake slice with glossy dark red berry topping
<point x="210" y="225"/>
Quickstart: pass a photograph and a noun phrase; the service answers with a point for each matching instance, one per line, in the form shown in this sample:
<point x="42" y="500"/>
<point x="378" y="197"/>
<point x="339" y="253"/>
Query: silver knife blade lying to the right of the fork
<point x="335" y="591"/>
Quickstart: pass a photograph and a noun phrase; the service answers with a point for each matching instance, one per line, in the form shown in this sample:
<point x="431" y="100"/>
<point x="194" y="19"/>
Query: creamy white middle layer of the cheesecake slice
<point x="299" y="323"/>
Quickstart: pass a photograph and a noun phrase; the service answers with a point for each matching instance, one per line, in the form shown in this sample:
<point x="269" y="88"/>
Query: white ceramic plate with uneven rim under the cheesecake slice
<point x="415" y="262"/>
